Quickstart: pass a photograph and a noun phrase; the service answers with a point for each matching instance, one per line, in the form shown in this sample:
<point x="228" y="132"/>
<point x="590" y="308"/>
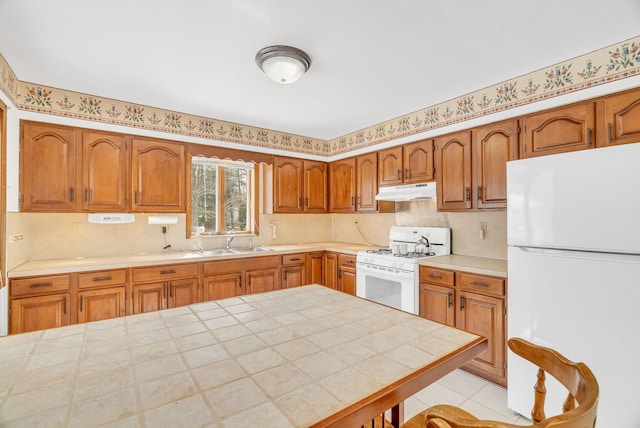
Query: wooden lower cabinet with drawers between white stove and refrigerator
<point x="474" y="303"/>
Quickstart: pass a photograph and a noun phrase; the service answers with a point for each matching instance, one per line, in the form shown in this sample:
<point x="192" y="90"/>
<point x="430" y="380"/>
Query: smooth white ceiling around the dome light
<point x="372" y="60"/>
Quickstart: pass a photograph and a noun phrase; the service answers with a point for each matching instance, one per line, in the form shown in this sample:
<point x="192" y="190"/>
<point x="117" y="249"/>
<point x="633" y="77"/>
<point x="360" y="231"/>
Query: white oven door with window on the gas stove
<point x="393" y="287"/>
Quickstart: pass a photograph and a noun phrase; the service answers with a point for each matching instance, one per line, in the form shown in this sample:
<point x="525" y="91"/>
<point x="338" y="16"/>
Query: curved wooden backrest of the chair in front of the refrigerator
<point x="580" y="407"/>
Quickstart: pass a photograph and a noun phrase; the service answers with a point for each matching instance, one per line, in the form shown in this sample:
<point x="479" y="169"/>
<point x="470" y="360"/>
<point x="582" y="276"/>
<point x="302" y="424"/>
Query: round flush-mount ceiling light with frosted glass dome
<point x="283" y="64"/>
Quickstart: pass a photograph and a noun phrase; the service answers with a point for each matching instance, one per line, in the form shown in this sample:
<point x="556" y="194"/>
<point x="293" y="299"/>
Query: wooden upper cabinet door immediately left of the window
<point x="158" y="176"/>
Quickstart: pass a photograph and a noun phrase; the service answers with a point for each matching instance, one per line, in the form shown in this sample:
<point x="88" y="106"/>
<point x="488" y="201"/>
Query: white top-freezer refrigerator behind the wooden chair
<point x="573" y="224"/>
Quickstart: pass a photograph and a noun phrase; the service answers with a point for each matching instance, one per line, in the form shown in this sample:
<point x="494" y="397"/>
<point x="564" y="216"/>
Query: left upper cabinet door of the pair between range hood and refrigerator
<point x="453" y="171"/>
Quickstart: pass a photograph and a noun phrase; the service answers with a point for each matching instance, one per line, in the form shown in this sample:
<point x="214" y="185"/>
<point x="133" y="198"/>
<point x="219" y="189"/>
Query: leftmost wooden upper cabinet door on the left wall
<point x="48" y="168"/>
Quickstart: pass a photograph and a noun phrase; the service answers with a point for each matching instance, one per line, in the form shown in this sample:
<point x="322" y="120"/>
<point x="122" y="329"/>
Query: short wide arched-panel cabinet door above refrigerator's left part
<point x="559" y="130"/>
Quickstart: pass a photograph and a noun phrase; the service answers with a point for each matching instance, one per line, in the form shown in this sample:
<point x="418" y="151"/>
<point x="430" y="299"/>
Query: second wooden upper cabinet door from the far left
<point x="105" y="169"/>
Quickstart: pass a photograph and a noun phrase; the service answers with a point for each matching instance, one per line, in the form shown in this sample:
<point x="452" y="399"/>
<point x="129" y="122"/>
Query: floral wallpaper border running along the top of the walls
<point x="603" y="66"/>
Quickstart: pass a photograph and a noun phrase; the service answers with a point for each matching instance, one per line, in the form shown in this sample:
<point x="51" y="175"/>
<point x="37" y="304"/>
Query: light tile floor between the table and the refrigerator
<point x="483" y="399"/>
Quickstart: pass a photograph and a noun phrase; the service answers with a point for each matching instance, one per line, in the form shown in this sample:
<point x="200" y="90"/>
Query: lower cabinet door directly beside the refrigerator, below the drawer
<point x="485" y="316"/>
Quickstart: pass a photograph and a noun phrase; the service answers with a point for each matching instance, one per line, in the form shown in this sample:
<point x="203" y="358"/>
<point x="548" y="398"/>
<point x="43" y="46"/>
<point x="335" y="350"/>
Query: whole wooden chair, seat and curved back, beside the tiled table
<point x="576" y="377"/>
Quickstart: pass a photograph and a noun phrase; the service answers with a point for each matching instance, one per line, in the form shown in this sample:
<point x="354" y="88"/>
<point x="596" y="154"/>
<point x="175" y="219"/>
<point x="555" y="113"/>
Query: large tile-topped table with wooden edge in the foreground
<point x="306" y="356"/>
